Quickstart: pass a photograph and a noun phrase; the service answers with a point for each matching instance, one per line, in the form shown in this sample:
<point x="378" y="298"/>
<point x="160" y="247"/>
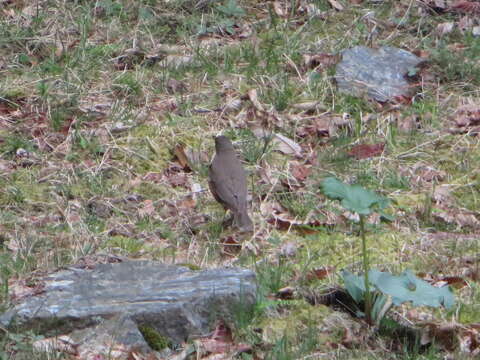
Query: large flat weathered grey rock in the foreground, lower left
<point x="175" y="301"/>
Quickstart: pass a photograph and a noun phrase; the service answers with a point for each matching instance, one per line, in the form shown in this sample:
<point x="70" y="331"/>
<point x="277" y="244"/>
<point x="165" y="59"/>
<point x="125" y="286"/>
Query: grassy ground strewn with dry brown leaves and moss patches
<point x="107" y="115"/>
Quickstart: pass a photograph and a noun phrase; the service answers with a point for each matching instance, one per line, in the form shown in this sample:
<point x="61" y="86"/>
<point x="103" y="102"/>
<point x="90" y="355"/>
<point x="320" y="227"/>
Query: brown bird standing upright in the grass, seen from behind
<point x="228" y="183"/>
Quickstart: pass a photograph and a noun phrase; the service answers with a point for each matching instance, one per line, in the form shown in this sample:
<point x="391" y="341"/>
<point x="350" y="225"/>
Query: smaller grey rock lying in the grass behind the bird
<point x="378" y="73"/>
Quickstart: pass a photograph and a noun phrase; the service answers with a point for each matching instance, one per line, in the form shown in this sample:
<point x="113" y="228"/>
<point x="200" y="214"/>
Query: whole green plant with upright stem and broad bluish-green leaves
<point x="388" y="289"/>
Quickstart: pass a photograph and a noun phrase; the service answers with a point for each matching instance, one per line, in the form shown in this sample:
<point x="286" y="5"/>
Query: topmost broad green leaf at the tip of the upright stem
<point x="354" y="198"/>
